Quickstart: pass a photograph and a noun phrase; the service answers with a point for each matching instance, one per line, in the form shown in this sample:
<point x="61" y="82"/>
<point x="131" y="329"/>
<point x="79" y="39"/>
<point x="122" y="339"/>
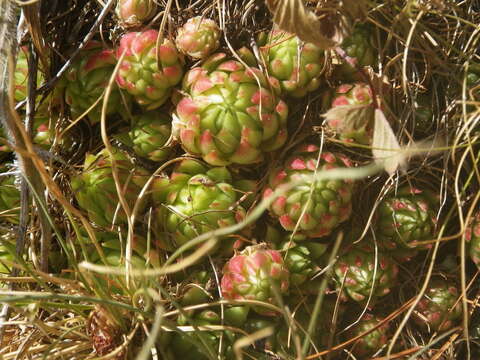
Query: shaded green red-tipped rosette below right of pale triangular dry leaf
<point x="406" y="216"/>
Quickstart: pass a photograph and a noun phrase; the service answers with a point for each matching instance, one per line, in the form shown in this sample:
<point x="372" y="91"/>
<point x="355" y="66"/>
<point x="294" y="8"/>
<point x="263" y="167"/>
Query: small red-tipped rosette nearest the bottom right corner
<point x="440" y="308"/>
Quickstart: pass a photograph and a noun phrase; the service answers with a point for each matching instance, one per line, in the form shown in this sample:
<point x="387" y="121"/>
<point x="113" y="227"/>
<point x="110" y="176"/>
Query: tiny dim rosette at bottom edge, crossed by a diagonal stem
<point x="368" y="344"/>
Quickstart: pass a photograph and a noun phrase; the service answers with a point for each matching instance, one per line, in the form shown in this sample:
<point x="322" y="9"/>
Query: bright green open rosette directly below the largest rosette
<point x="196" y="199"/>
